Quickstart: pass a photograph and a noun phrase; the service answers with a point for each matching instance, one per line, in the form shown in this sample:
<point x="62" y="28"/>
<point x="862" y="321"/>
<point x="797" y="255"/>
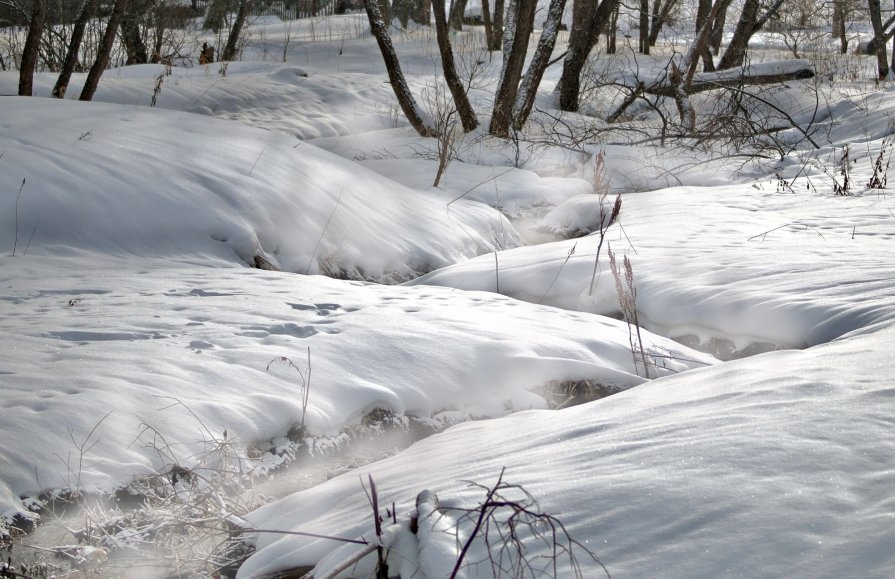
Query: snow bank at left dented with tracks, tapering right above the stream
<point x="133" y="336"/>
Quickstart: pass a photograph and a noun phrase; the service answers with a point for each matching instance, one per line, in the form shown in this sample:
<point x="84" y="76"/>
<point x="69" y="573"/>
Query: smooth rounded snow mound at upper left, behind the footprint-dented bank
<point x="148" y="182"/>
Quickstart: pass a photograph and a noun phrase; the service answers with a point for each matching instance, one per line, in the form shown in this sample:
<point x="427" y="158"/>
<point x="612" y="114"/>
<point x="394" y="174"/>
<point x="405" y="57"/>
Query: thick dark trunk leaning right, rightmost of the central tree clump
<point x="588" y="22"/>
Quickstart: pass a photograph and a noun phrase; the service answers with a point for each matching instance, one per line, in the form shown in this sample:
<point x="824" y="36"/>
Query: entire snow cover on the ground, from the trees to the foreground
<point x="126" y="293"/>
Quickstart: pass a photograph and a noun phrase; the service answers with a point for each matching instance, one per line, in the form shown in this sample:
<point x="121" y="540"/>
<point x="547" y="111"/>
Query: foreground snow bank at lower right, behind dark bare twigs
<point x="774" y="466"/>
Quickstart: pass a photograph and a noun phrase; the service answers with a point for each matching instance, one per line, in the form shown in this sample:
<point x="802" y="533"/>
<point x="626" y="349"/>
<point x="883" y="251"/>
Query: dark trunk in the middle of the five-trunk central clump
<point x="519" y="23"/>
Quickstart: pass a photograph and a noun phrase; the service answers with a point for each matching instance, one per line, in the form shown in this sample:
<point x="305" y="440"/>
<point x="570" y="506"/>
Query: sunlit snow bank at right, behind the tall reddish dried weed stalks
<point x="742" y="264"/>
